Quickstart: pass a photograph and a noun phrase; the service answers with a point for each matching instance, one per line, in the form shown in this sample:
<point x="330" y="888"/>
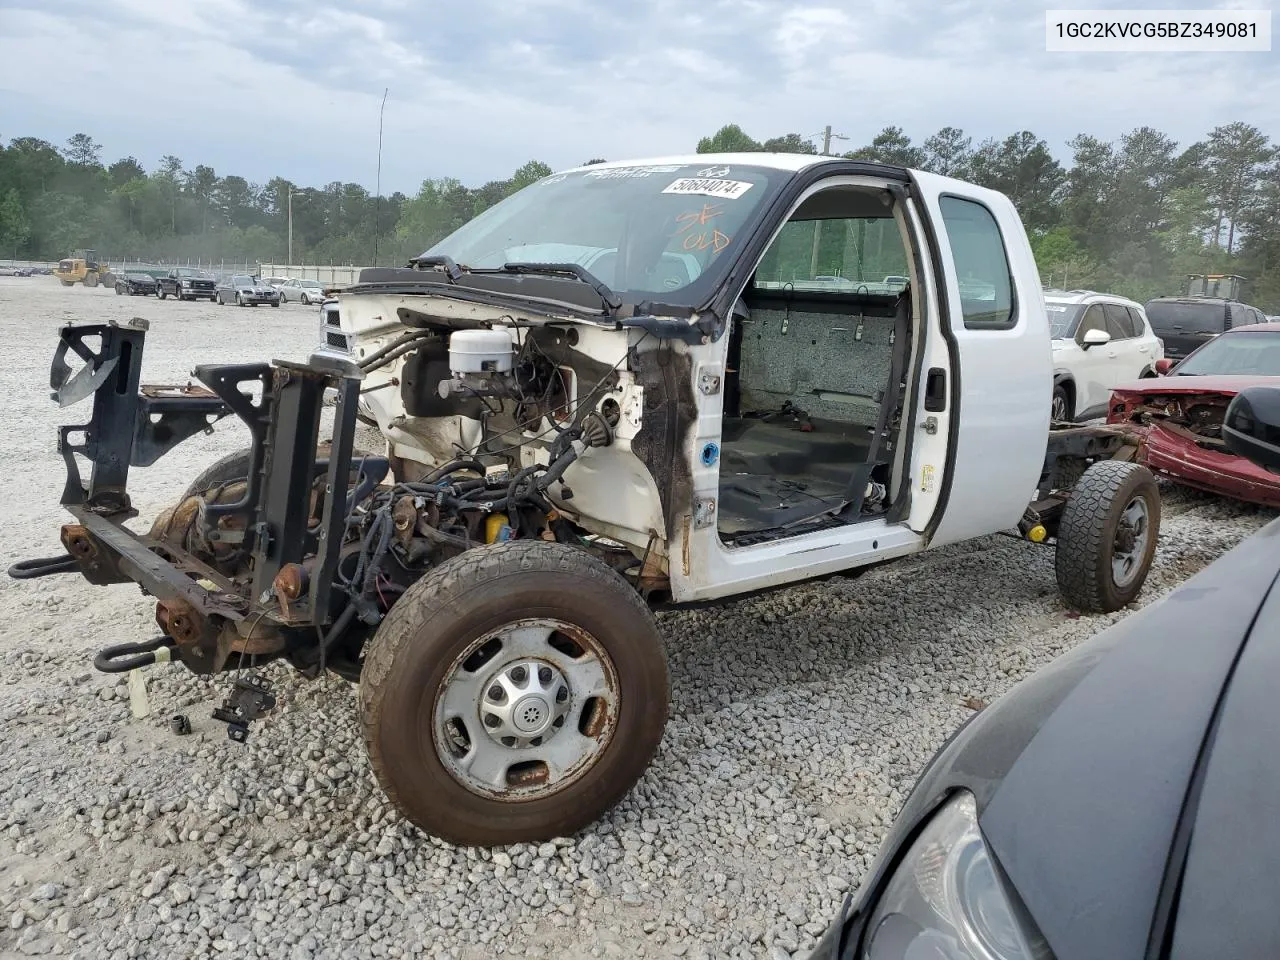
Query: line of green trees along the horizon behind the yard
<point x="1132" y="217"/>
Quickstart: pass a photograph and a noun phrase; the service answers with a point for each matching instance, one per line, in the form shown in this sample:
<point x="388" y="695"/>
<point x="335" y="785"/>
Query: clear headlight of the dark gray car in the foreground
<point x="948" y="900"/>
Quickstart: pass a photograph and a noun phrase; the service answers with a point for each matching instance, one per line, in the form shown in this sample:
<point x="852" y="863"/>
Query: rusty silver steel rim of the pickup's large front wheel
<point x="501" y="725"/>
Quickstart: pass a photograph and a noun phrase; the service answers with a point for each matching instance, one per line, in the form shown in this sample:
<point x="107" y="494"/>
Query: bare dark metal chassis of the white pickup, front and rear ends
<point x="205" y="616"/>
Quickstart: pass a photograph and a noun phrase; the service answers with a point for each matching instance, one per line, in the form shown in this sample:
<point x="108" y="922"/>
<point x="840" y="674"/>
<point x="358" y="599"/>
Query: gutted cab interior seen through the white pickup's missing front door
<point x="811" y="369"/>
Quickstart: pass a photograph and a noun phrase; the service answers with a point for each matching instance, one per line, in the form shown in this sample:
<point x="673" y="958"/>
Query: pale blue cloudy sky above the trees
<point x="292" y="88"/>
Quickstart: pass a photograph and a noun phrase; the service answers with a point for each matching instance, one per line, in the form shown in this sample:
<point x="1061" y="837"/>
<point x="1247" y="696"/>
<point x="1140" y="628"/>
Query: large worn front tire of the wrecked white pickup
<point x="440" y="625"/>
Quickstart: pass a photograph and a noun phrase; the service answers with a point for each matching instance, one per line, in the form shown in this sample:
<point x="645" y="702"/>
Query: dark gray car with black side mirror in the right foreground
<point x="1122" y="803"/>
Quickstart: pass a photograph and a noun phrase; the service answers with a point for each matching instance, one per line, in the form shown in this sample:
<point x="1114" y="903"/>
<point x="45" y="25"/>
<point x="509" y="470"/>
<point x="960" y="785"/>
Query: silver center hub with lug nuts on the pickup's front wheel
<point x="525" y="703"/>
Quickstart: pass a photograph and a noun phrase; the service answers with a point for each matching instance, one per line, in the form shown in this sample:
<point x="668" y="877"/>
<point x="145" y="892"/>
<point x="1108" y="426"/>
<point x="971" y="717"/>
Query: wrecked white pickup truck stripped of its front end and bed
<point x="627" y="386"/>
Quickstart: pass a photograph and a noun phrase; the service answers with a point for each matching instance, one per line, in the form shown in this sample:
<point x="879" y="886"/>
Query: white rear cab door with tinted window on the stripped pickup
<point x="1002" y="377"/>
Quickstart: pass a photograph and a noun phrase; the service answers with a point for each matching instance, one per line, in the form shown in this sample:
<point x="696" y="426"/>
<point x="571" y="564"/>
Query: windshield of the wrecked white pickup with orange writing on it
<point x="669" y="230"/>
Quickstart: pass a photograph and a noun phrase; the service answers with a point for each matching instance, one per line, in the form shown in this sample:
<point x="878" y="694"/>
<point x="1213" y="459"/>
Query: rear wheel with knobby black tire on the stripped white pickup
<point x="1114" y="506"/>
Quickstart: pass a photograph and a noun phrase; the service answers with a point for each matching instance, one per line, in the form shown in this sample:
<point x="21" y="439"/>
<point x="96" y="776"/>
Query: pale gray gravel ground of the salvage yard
<point x="799" y="723"/>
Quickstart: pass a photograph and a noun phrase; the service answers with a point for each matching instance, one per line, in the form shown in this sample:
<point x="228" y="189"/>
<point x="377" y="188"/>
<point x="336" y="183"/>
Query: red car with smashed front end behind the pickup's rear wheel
<point x="1181" y="414"/>
